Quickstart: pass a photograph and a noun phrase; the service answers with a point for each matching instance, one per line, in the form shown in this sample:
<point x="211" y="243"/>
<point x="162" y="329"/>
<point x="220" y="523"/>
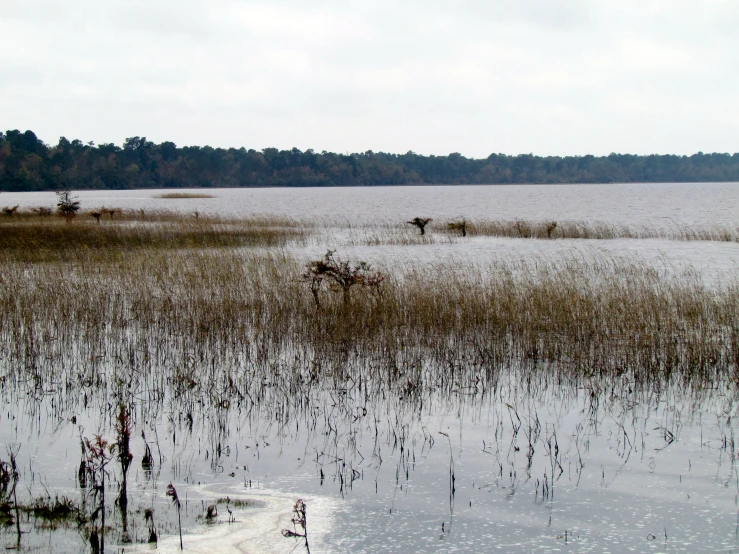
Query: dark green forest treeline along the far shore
<point x="27" y="164"/>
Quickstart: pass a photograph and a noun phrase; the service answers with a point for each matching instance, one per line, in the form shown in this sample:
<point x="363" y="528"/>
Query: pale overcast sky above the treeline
<point x="548" y="77"/>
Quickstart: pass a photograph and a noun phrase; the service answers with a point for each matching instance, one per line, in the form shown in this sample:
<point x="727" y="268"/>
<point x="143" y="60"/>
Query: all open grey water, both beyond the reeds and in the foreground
<point x="536" y="467"/>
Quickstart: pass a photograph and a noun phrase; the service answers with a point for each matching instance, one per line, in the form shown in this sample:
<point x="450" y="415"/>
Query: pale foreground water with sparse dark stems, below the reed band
<point x="518" y="467"/>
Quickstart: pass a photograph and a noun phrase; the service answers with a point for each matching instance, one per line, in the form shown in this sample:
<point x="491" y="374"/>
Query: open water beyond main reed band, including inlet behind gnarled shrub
<point x="654" y="205"/>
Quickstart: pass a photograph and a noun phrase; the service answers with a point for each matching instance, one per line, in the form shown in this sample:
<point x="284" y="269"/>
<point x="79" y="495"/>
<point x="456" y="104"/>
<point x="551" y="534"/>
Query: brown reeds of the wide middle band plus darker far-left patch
<point x="169" y="300"/>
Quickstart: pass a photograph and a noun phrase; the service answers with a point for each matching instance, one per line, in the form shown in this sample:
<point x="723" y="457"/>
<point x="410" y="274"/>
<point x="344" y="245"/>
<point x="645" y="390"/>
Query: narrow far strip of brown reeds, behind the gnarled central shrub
<point x="28" y="235"/>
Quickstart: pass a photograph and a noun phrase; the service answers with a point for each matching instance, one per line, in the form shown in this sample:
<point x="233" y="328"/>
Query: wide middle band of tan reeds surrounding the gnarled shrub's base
<point x="166" y="309"/>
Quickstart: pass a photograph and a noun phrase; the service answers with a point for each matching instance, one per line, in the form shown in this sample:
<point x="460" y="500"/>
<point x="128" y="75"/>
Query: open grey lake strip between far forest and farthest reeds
<point x="635" y="203"/>
